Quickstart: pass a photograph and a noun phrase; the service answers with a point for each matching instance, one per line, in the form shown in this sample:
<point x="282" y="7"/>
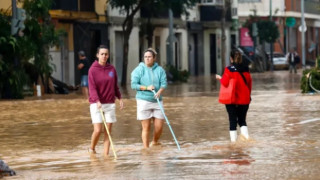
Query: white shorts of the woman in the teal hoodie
<point x="147" y="110"/>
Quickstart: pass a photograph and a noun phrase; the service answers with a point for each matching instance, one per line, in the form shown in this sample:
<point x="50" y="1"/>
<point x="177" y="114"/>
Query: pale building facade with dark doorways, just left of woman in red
<point x="205" y="35"/>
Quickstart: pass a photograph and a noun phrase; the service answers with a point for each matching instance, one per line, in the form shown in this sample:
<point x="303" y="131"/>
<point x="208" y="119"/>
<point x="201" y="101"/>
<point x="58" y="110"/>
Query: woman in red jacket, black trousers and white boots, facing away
<point x="238" y="108"/>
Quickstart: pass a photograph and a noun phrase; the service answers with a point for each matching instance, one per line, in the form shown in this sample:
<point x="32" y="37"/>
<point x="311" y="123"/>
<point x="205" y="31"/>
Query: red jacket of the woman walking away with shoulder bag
<point x="242" y="90"/>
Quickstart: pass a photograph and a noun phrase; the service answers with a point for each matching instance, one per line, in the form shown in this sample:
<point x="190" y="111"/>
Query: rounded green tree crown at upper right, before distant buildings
<point x="267" y="30"/>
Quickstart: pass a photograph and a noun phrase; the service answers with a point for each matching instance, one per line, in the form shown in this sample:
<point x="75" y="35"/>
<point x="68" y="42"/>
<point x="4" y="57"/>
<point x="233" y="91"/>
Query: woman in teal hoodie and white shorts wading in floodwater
<point x="145" y="78"/>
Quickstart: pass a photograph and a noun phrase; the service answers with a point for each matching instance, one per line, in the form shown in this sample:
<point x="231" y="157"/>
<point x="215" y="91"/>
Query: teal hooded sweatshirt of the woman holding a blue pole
<point x="146" y="76"/>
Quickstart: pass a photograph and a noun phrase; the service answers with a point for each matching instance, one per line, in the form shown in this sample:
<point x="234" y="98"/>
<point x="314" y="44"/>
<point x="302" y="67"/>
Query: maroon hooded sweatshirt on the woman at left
<point x="103" y="84"/>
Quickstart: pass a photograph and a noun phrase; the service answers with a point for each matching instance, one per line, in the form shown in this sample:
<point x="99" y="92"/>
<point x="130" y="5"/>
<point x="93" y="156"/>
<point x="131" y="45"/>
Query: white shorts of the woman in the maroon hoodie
<point x="108" y="110"/>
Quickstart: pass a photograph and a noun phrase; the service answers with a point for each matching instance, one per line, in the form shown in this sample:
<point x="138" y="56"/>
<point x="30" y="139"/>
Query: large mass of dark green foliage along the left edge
<point x="39" y="35"/>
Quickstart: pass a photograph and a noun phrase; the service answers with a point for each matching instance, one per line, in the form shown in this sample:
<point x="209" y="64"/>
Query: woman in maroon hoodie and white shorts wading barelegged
<point x="103" y="91"/>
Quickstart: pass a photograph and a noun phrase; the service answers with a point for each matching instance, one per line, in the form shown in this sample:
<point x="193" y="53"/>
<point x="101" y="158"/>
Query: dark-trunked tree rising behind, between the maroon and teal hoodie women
<point x="131" y="7"/>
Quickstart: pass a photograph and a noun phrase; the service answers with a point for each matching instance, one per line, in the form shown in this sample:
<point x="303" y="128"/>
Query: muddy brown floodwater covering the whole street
<point x="47" y="137"/>
